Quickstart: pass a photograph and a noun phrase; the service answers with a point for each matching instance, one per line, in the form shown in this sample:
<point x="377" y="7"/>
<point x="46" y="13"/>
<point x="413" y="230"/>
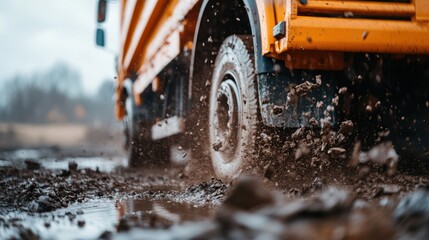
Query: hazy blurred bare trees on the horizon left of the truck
<point x="55" y="95"/>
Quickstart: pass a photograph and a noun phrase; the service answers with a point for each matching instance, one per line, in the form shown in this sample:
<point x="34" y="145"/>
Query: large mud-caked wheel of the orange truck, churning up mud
<point x="233" y="115"/>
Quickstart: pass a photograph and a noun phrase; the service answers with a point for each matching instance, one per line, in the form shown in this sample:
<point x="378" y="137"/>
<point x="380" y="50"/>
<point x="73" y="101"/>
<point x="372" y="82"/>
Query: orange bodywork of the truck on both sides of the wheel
<point x="312" y="34"/>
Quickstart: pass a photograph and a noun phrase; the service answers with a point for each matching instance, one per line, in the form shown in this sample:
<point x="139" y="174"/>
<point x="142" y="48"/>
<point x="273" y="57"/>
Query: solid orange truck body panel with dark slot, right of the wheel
<point x="356" y="26"/>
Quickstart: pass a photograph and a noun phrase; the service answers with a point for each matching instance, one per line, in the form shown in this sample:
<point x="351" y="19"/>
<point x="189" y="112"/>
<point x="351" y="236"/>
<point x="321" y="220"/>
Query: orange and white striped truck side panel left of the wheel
<point x="150" y="34"/>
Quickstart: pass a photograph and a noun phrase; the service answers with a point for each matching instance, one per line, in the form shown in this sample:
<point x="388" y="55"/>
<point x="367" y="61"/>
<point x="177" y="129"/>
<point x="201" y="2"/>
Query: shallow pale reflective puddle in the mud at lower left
<point x="99" y="216"/>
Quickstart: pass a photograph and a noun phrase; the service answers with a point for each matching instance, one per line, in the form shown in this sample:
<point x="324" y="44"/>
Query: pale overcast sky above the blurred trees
<point x="35" y="34"/>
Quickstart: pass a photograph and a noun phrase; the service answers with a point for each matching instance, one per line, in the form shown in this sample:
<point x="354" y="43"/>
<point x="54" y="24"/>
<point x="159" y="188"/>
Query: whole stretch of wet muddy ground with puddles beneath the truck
<point x="52" y="193"/>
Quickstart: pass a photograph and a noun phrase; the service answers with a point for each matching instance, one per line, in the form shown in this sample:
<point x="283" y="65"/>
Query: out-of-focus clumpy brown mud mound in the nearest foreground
<point x="332" y="214"/>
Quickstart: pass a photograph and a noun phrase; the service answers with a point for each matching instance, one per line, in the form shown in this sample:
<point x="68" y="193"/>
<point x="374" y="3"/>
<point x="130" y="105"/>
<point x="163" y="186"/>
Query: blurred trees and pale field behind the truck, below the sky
<point x="49" y="108"/>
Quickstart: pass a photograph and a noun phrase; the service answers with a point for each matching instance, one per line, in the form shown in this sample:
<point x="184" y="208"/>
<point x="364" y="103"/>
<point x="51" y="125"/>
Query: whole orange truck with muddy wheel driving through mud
<point x="215" y="74"/>
